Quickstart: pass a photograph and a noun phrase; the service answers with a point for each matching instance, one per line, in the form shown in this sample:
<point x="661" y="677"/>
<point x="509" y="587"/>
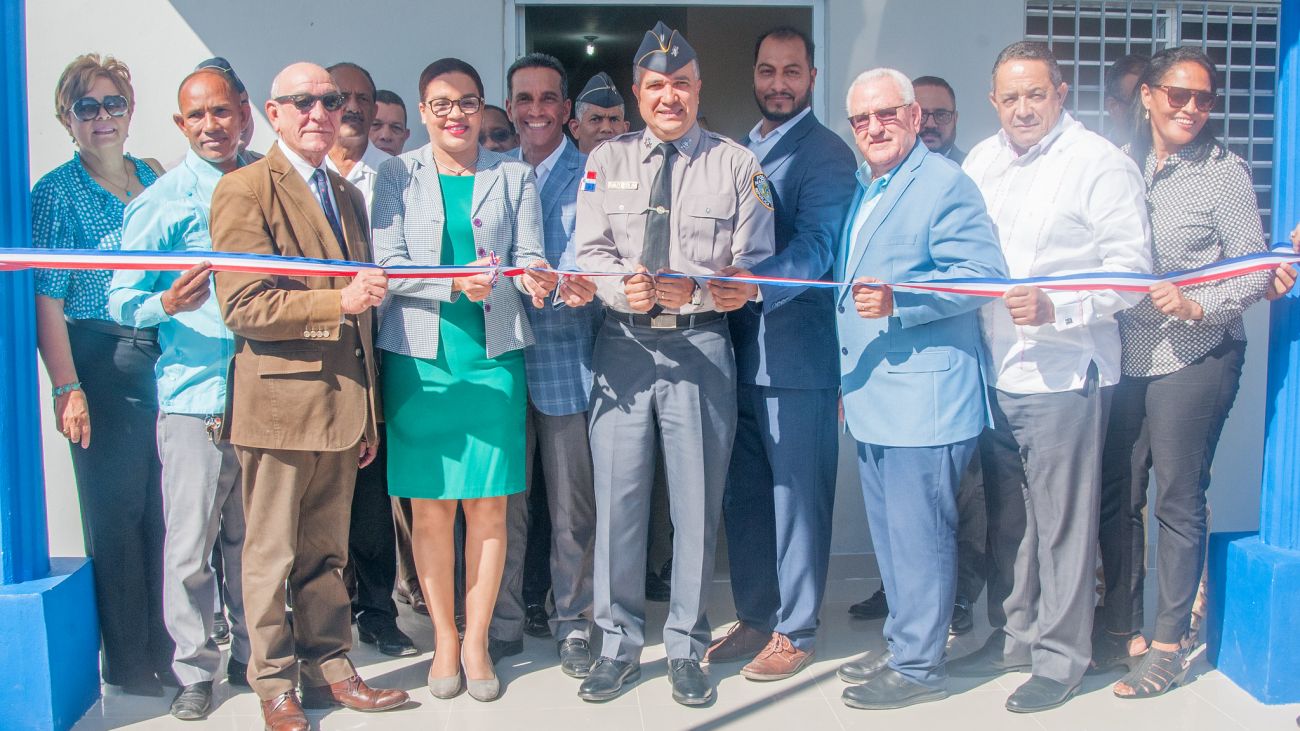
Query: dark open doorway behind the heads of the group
<point x="605" y="38"/>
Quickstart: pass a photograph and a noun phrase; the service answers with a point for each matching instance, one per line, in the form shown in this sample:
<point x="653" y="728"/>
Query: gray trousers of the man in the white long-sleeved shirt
<point x="1043" y="486"/>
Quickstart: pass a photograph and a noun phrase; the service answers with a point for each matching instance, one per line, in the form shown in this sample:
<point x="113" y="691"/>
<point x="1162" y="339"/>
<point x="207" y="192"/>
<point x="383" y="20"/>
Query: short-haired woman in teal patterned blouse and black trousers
<point x="102" y="374"/>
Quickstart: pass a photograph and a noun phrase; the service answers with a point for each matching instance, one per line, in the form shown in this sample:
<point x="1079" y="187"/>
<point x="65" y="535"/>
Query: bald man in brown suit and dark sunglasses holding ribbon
<point x="301" y="410"/>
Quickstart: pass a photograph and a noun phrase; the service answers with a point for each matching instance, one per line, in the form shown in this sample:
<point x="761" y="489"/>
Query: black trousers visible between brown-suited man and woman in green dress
<point x="372" y="550"/>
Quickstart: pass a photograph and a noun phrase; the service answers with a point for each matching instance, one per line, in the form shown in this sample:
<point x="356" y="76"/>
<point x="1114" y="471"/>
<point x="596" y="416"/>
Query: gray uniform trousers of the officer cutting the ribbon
<point x="681" y="384"/>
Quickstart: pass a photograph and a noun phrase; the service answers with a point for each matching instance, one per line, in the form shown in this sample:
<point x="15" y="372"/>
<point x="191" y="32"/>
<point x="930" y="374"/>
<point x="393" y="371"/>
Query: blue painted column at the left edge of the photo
<point x="49" y="629"/>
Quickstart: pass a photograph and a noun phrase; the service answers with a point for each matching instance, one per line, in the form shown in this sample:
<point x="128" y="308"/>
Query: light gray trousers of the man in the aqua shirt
<point x="202" y="507"/>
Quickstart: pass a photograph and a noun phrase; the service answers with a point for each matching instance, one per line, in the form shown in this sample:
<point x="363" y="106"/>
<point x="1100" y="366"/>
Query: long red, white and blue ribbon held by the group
<point x="14" y="259"/>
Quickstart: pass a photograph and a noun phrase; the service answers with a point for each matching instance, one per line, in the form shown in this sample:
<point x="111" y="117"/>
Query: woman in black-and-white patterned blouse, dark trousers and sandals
<point x="1182" y="361"/>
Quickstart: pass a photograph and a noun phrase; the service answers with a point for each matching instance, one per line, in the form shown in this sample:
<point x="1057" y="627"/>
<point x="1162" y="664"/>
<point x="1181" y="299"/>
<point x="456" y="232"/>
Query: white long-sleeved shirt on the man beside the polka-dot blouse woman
<point x="1072" y="204"/>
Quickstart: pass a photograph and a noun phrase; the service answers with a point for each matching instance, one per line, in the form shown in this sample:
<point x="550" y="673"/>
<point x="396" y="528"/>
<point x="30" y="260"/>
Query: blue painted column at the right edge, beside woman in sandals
<point x="1255" y="578"/>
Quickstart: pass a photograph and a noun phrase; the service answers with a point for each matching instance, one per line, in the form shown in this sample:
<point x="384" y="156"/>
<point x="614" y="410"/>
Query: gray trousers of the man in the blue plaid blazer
<point x="566" y="457"/>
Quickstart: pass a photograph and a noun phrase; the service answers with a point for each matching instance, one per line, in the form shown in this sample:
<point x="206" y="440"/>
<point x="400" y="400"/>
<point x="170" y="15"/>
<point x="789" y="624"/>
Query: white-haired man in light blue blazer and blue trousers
<point x="912" y="371"/>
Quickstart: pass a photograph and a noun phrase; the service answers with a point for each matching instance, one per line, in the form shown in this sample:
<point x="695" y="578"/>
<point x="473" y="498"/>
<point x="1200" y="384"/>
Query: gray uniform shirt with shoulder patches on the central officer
<point x="721" y="211"/>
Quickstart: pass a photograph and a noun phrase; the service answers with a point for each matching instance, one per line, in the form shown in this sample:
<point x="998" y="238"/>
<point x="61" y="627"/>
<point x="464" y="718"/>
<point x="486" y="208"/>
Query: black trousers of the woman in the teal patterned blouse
<point x="120" y="491"/>
